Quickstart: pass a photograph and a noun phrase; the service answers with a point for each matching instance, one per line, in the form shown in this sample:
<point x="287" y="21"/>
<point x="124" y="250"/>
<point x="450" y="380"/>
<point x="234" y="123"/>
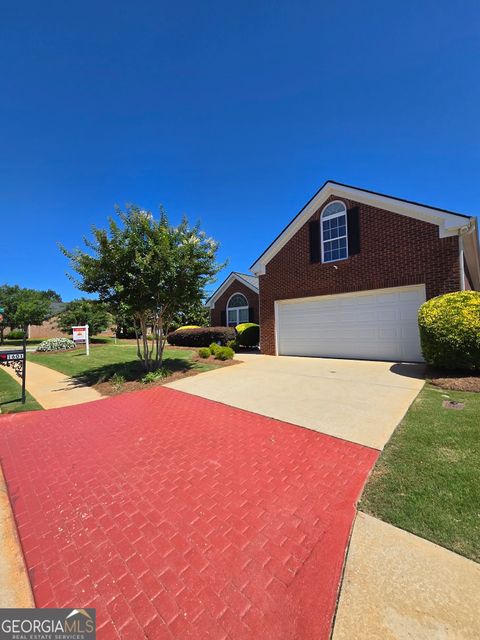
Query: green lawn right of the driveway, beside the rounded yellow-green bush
<point x="427" y="479"/>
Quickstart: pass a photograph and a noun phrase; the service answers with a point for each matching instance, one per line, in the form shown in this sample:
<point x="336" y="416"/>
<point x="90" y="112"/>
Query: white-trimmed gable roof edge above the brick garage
<point x="448" y="222"/>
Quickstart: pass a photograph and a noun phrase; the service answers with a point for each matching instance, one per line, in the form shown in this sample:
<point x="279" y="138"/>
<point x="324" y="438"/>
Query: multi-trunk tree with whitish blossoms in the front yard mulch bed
<point x="149" y="267"/>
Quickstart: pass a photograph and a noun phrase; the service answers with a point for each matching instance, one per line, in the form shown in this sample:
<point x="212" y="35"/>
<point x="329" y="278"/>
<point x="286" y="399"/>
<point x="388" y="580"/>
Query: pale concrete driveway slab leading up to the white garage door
<point x="357" y="400"/>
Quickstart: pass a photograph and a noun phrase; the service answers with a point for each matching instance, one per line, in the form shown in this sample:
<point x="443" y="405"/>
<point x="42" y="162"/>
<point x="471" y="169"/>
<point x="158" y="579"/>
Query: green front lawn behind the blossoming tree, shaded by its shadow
<point x="105" y="360"/>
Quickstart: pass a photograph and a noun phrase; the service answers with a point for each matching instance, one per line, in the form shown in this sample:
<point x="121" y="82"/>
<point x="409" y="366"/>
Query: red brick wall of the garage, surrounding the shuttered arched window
<point x="394" y="251"/>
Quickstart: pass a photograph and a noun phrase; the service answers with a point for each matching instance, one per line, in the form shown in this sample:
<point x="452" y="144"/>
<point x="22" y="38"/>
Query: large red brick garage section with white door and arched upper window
<point x="346" y="277"/>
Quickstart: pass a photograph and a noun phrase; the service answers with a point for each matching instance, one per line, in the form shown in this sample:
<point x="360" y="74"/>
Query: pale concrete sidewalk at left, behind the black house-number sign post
<point x="53" y="389"/>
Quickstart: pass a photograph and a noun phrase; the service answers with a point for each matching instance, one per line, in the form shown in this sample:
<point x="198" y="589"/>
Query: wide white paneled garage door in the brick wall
<point x="377" y="325"/>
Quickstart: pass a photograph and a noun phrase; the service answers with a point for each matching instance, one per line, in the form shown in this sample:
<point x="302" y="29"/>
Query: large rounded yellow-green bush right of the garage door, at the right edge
<point x="450" y="330"/>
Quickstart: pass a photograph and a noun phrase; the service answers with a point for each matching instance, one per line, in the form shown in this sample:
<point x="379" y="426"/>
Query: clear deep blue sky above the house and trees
<point x="233" y="113"/>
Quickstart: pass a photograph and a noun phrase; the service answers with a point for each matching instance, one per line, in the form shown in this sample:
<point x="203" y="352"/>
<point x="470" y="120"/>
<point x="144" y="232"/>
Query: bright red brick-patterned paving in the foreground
<point x="177" y="517"/>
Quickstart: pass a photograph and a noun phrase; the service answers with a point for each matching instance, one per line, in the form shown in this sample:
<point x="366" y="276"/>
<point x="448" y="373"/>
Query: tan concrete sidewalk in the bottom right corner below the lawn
<point x="398" y="586"/>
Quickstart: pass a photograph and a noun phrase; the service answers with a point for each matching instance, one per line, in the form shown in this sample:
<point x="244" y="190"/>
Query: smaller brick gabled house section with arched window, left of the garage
<point x="235" y="301"/>
